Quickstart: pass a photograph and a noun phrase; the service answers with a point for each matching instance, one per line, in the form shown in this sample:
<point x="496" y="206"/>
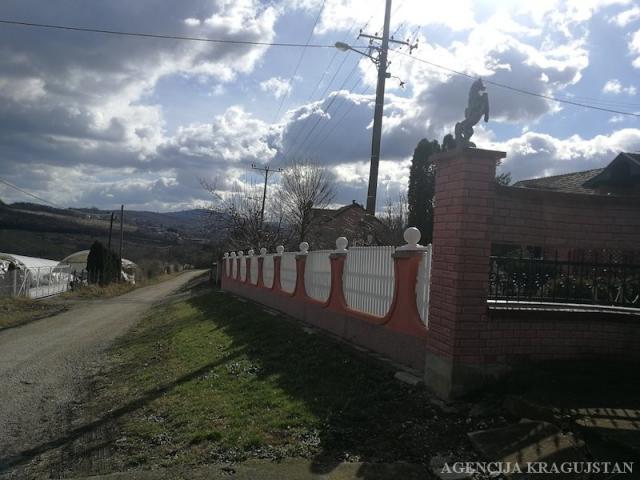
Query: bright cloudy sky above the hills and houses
<point x="98" y="120"/>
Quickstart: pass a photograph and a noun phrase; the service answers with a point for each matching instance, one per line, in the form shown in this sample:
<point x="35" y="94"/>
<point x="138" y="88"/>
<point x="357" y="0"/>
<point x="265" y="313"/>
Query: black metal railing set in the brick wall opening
<point x="570" y="281"/>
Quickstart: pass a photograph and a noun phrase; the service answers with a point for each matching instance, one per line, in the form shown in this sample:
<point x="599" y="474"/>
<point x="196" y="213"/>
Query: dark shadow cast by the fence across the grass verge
<point x="365" y="413"/>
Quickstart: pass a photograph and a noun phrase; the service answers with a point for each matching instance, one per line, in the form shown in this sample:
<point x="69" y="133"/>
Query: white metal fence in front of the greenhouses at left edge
<point x="36" y="282"/>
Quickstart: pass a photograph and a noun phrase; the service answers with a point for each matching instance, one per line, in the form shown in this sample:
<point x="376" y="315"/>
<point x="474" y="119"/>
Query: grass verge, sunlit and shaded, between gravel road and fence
<point x="213" y="379"/>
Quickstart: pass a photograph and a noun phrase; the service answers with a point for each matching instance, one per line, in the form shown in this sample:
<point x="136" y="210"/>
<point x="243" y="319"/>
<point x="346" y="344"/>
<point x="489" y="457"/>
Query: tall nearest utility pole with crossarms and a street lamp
<point x="381" y="61"/>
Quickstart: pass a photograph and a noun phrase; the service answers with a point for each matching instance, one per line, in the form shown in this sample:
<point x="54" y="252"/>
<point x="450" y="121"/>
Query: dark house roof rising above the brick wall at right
<point x="620" y="178"/>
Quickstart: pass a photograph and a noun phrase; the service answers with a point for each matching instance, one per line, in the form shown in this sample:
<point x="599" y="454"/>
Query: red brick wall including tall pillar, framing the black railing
<point x="467" y="342"/>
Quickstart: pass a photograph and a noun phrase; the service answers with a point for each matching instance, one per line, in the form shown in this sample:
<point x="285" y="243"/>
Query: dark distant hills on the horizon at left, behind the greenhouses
<point x="49" y="232"/>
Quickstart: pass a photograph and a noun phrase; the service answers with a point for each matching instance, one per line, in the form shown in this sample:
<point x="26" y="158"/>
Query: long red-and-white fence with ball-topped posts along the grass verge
<point x="379" y="300"/>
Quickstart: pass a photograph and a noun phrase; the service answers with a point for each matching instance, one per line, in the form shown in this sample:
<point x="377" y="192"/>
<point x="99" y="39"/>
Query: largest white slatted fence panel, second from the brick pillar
<point x="369" y="279"/>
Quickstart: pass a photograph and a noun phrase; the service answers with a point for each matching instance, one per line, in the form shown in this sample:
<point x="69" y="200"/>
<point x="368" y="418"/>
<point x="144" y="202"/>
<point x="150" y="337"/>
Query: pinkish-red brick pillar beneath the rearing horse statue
<point x="456" y="359"/>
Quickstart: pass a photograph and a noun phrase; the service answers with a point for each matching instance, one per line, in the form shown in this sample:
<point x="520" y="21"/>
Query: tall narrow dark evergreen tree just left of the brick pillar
<point x="422" y="188"/>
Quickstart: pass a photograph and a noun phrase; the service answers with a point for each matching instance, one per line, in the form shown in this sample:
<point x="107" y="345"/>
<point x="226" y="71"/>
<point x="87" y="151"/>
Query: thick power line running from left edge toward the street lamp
<point x="163" y="36"/>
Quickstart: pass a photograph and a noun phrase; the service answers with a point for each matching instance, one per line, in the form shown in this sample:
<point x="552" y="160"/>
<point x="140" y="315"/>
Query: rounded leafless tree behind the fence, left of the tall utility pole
<point x="305" y="186"/>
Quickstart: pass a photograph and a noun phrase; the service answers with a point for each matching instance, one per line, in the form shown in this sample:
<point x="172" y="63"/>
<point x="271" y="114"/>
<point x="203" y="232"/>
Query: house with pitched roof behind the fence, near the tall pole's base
<point x="351" y="221"/>
